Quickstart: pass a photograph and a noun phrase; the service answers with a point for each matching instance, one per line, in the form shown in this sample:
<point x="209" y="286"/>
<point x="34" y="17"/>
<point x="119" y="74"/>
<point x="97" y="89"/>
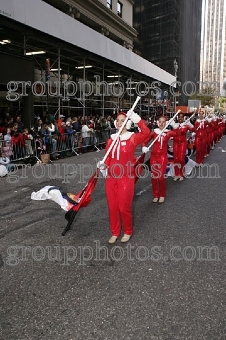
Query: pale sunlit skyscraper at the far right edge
<point x="213" y="45"/>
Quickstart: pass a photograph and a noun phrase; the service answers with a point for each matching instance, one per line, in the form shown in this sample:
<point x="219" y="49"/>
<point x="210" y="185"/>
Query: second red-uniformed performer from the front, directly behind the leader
<point x="159" y="158"/>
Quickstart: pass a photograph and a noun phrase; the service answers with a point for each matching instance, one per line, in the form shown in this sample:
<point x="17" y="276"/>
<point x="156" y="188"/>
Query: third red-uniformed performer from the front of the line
<point x="180" y="146"/>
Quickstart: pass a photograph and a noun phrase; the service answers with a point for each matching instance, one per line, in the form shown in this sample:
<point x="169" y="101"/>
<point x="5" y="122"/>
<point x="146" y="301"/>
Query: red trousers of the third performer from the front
<point x="179" y="152"/>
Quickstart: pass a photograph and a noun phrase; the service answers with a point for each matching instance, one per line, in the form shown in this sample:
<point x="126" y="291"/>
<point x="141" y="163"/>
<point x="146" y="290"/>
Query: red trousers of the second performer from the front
<point x="158" y="164"/>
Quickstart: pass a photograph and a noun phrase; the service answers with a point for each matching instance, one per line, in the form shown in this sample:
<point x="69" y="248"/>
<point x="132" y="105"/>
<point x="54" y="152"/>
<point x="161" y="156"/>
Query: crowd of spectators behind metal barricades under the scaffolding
<point x="57" y="135"/>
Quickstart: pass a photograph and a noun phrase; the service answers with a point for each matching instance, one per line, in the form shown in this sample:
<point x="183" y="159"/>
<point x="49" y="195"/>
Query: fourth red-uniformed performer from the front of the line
<point x="200" y="137"/>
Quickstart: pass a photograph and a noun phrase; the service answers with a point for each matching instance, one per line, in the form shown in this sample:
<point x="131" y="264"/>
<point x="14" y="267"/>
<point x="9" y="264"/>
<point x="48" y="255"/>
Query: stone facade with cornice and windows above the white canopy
<point x="112" y="18"/>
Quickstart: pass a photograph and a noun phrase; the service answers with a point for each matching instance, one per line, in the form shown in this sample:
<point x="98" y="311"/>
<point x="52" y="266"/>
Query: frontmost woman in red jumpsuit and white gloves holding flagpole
<point x="120" y="181"/>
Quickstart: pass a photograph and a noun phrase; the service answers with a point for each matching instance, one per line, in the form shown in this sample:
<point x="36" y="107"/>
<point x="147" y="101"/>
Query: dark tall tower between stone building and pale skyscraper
<point x="169" y="35"/>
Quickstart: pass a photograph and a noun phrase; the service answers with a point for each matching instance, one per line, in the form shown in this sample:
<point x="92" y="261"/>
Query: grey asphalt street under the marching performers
<point x="163" y="285"/>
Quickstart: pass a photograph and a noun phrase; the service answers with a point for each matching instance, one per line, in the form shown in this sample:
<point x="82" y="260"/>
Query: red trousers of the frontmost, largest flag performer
<point x="120" y="192"/>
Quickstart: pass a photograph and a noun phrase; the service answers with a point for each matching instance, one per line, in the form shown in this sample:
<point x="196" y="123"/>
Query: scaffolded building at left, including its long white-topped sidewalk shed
<point x="83" y="48"/>
